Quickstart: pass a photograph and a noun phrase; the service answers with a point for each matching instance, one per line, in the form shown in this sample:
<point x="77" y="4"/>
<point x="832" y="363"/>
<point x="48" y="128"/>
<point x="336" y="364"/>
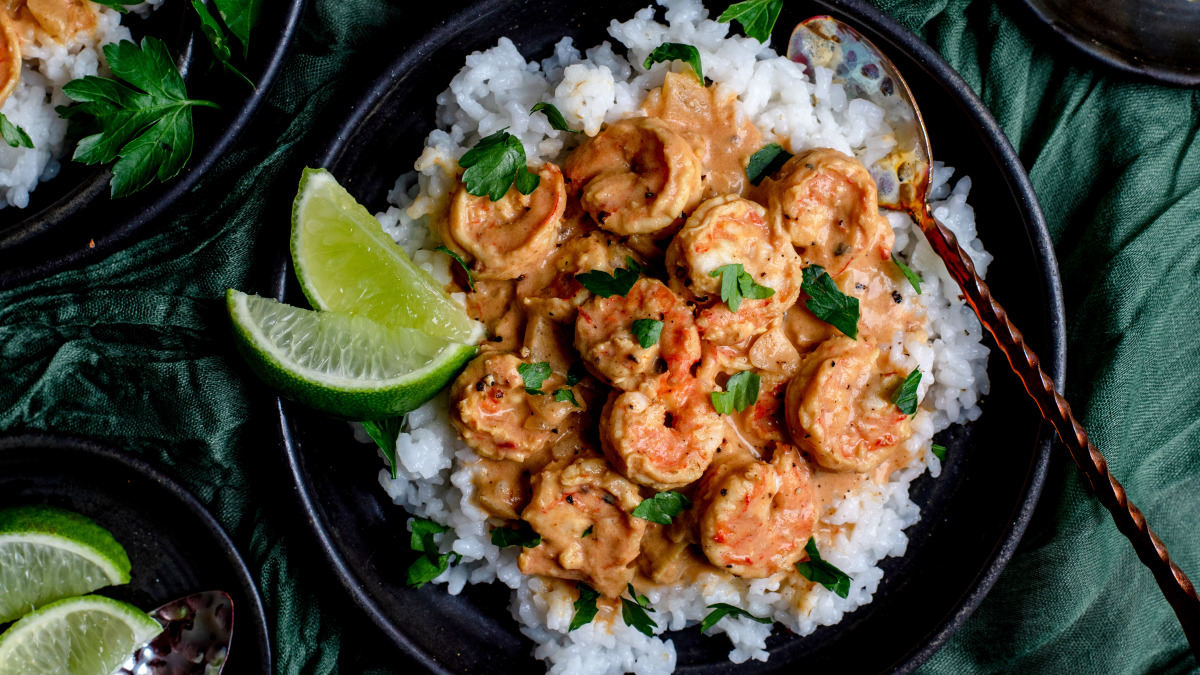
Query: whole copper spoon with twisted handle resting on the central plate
<point x="904" y="186"/>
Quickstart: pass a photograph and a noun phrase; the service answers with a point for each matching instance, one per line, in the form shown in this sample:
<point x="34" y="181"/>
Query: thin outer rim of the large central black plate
<point x="1027" y="202"/>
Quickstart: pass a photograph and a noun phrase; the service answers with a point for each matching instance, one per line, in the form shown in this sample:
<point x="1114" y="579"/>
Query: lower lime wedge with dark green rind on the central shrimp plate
<point x="344" y="365"/>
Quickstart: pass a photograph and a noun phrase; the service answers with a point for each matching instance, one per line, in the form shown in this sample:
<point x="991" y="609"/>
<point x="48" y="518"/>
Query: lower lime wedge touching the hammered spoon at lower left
<point x="88" y="636"/>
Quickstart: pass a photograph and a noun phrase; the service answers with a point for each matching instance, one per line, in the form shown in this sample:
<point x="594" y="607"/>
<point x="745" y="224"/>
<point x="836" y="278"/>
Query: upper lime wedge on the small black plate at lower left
<point x="47" y="554"/>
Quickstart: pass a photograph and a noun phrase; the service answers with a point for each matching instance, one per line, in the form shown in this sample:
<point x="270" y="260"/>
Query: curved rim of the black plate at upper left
<point x="38" y="267"/>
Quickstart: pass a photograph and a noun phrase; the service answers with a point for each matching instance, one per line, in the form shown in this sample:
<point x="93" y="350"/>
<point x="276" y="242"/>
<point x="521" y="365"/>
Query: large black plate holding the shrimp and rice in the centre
<point x="974" y="513"/>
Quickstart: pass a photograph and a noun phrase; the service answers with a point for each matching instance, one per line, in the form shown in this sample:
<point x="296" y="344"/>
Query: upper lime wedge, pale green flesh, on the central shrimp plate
<point x="346" y="262"/>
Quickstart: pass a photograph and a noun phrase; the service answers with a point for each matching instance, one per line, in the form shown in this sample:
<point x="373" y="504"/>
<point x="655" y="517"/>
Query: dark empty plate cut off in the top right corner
<point x="1155" y="39"/>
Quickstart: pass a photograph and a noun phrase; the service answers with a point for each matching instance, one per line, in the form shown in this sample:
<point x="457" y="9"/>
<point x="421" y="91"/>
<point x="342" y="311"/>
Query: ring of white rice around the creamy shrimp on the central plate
<point x="496" y="91"/>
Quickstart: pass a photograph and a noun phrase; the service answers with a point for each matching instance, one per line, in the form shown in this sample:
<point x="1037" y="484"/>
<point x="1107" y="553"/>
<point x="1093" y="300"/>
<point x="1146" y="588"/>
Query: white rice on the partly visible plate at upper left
<point x="46" y="67"/>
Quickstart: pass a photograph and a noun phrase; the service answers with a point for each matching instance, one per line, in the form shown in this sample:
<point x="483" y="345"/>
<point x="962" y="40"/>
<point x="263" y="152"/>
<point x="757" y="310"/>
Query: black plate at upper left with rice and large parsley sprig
<point x="71" y="219"/>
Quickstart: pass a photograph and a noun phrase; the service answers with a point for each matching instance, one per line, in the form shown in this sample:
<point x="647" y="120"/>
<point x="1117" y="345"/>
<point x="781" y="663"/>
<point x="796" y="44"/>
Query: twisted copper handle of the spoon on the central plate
<point x="1055" y="410"/>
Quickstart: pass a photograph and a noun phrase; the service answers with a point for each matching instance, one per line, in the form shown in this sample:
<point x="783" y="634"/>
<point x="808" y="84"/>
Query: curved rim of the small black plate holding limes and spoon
<point x="45" y="440"/>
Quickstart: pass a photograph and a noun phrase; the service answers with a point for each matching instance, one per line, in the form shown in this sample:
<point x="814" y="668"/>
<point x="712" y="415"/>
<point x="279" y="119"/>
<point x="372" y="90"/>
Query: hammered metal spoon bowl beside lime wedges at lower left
<point x="197" y="631"/>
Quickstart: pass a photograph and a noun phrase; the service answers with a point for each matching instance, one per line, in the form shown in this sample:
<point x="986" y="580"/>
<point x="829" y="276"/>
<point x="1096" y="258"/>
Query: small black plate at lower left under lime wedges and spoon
<point x="177" y="548"/>
